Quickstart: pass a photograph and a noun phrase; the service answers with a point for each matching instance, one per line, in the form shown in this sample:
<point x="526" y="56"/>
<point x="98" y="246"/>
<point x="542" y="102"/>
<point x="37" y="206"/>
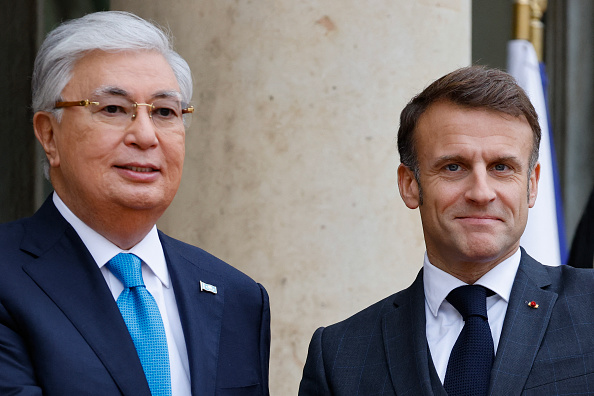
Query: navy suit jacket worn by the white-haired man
<point x="61" y="332"/>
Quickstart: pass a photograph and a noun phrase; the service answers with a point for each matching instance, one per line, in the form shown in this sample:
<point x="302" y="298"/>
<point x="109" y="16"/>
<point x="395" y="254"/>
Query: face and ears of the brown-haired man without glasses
<point x="474" y="176"/>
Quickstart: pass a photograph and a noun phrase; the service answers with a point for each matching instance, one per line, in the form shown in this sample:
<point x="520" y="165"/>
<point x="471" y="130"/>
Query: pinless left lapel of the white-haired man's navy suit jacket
<point x="64" y="269"/>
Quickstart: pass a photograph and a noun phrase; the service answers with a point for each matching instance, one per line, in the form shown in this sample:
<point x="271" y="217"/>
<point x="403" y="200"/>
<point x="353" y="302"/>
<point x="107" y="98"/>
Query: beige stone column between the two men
<point x="290" y="170"/>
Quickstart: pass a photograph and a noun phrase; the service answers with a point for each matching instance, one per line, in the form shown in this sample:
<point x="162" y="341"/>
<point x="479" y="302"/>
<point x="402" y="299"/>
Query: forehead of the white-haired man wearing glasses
<point x="142" y="74"/>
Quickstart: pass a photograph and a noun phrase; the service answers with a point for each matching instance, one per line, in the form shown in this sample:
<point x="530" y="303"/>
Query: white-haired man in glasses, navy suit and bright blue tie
<point x="94" y="300"/>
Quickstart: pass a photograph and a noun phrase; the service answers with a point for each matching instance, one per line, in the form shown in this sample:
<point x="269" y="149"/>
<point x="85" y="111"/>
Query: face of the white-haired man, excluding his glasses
<point x="100" y="169"/>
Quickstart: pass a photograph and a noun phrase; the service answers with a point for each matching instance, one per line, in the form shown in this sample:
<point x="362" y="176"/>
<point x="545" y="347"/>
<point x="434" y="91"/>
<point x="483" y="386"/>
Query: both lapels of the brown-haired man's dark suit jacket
<point x="411" y="368"/>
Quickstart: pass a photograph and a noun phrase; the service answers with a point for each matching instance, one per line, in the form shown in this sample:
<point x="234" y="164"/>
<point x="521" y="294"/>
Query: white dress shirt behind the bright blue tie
<point x="157" y="281"/>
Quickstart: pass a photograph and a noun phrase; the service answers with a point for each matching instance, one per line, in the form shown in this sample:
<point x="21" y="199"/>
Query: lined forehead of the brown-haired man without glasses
<point x="448" y="129"/>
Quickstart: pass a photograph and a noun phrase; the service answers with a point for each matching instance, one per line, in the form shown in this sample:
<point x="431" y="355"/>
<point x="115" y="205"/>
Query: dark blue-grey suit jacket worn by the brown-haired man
<point x="383" y="349"/>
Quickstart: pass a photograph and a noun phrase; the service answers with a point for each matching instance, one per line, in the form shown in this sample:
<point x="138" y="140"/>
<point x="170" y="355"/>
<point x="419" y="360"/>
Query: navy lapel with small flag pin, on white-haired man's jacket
<point x="201" y="314"/>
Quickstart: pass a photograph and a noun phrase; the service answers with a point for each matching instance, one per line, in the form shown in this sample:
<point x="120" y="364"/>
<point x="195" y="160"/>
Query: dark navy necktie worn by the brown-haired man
<point x="471" y="359"/>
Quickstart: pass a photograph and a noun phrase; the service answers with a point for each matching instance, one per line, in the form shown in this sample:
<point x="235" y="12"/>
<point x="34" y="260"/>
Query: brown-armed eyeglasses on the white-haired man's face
<point x="166" y="113"/>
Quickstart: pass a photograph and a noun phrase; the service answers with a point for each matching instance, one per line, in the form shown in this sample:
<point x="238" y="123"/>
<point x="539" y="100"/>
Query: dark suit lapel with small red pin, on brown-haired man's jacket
<point x="523" y="329"/>
